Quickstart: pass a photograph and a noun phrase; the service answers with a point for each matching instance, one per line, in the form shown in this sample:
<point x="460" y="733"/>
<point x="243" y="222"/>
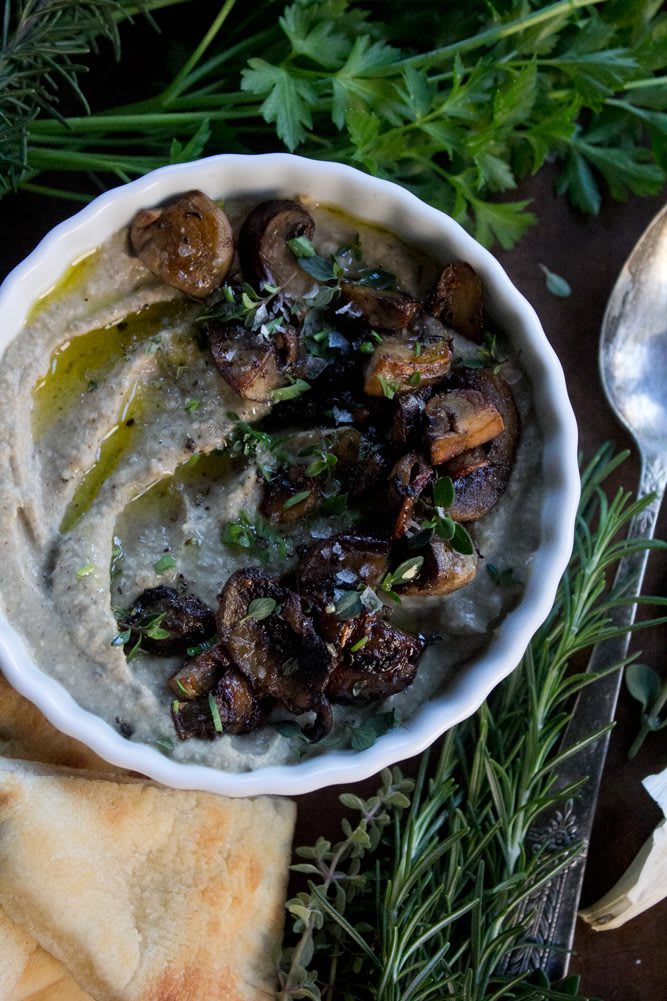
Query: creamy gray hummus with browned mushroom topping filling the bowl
<point x="269" y="479"/>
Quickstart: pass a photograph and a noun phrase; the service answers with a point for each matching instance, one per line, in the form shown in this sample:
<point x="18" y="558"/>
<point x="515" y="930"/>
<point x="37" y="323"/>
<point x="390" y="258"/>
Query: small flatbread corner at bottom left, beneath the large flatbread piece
<point x="28" y="973"/>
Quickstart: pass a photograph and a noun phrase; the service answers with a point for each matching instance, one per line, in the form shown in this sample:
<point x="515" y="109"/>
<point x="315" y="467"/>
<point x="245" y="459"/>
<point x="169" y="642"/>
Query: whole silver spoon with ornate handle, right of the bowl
<point x="633" y="367"/>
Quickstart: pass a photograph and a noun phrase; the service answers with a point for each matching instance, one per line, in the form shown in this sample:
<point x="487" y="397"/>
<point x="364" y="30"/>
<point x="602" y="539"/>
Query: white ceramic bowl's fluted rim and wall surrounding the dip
<point x="281" y="175"/>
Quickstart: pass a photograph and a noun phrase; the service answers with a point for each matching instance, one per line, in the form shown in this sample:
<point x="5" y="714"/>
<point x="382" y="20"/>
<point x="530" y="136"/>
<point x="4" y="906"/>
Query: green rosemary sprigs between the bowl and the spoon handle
<point x="441" y="909"/>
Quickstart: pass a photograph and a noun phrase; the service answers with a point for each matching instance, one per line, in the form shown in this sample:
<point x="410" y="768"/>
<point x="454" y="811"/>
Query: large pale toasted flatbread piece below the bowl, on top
<point x="146" y="893"/>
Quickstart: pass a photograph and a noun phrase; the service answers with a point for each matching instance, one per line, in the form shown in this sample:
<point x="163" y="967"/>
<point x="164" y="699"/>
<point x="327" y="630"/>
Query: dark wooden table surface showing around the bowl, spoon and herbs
<point x="629" y="964"/>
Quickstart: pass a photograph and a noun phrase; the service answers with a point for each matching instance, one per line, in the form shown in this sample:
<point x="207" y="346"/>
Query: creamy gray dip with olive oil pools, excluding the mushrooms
<point x="108" y="466"/>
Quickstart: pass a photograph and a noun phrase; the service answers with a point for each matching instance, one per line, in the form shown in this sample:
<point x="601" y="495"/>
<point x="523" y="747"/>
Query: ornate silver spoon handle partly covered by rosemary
<point x="553" y="910"/>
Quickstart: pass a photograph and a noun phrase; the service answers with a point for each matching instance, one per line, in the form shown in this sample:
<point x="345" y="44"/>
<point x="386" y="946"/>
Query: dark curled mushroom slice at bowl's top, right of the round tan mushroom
<point x="263" y="246"/>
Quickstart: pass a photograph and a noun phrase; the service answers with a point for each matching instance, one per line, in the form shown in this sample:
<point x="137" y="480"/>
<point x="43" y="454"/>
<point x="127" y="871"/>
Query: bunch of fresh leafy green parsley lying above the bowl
<point x="504" y="89"/>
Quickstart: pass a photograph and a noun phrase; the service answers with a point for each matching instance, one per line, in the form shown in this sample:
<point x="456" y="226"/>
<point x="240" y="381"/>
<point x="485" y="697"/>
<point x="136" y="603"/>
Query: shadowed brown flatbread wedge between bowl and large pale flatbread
<point x="27" y="734"/>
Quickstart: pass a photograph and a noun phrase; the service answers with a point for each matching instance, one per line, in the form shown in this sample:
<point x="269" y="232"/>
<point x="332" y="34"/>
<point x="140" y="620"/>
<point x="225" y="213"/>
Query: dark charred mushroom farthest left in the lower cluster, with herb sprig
<point x="186" y="619"/>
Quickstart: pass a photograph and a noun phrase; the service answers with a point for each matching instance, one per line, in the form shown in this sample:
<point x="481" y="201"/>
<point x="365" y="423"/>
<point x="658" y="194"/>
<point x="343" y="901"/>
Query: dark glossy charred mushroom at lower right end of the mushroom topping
<point x="376" y="660"/>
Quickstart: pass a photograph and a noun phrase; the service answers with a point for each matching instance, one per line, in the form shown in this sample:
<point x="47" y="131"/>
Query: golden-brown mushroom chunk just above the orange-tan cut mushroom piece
<point x="402" y="363"/>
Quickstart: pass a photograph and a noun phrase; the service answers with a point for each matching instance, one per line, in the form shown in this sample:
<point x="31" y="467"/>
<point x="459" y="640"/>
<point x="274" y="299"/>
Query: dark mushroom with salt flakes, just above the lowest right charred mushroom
<point x="344" y="561"/>
